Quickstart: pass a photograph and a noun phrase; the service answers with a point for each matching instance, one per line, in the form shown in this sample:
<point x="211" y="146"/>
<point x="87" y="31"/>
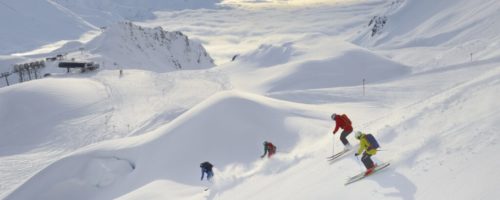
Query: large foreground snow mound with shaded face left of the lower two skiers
<point x="174" y="150"/>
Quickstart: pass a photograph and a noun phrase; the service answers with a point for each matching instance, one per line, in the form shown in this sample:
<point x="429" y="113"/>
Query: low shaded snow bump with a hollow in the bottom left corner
<point x="77" y="175"/>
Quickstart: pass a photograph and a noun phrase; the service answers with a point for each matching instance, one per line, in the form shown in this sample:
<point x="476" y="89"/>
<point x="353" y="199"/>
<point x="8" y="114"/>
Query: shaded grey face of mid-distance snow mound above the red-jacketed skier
<point x="346" y="69"/>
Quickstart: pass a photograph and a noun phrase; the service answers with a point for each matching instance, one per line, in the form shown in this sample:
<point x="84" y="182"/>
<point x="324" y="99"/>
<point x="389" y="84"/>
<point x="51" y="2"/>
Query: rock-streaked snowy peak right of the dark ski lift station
<point x="132" y="46"/>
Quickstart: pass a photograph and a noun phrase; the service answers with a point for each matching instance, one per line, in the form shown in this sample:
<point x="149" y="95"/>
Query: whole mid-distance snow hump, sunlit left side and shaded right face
<point x="293" y="66"/>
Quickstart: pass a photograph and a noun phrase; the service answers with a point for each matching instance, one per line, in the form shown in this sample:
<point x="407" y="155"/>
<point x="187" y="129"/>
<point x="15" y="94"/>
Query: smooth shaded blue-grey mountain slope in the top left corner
<point x="23" y="28"/>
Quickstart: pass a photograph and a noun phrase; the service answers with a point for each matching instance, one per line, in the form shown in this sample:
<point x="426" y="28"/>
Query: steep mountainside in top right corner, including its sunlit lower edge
<point x="451" y="32"/>
